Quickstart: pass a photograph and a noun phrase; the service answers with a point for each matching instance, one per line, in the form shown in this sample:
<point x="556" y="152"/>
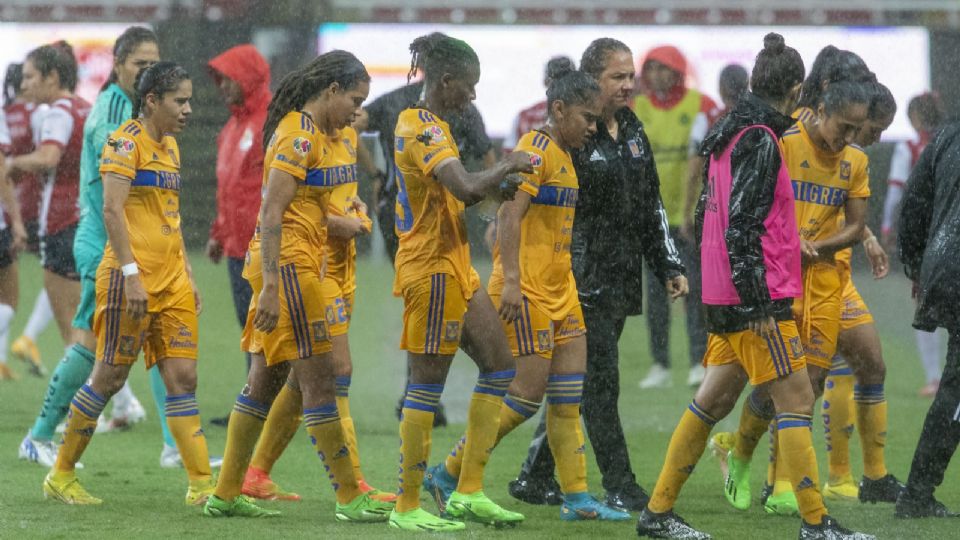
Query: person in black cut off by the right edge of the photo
<point x="929" y="243"/>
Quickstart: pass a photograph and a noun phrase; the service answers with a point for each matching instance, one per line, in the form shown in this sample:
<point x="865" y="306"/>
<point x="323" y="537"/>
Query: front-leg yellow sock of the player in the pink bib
<point x="800" y="461"/>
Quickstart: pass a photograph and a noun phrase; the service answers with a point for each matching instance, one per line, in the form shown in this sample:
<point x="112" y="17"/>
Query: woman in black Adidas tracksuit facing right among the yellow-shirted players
<point x="619" y="221"/>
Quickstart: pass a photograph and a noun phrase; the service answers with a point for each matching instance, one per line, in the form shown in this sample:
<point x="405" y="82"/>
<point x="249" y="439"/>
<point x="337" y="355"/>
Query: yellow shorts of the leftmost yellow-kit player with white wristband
<point x="169" y="329"/>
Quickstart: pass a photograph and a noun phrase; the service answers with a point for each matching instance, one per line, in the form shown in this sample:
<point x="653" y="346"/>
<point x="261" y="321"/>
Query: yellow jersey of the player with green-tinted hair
<point x="430" y="224"/>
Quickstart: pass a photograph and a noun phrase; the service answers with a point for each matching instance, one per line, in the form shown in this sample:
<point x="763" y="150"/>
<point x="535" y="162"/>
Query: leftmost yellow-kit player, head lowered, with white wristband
<point x="146" y="298"/>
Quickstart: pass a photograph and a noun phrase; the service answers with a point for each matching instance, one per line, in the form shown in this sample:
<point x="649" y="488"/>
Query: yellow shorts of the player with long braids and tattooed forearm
<point x="301" y="330"/>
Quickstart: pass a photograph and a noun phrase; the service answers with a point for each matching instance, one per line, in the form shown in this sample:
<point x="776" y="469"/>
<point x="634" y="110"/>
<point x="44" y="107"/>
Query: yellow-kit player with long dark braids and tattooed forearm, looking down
<point x="286" y="328"/>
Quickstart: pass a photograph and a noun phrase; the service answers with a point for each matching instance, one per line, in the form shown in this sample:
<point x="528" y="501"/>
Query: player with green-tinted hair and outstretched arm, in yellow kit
<point x="444" y="305"/>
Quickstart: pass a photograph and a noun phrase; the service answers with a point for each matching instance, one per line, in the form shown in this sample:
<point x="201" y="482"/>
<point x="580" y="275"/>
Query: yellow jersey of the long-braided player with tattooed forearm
<point x="298" y="149"/>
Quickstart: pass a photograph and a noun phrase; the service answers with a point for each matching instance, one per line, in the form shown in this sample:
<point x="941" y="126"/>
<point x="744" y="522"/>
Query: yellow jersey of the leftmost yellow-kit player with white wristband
<point x="152" y="209"/>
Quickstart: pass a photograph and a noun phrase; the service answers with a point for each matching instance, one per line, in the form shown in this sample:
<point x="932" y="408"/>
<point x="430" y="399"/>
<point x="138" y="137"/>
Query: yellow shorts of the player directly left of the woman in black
<point x="536" y="332"/>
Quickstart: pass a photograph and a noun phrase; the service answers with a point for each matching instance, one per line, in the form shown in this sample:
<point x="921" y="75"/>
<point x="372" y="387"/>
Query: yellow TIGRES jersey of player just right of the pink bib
<point x="822" y="182"/>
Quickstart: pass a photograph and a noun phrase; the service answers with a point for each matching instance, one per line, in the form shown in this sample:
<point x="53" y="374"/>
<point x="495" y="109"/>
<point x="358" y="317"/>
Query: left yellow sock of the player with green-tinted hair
<point x="416" y="427"/>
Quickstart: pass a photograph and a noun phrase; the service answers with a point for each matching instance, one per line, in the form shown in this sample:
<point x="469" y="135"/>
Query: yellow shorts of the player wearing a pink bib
<point x="762" y="359"/>
